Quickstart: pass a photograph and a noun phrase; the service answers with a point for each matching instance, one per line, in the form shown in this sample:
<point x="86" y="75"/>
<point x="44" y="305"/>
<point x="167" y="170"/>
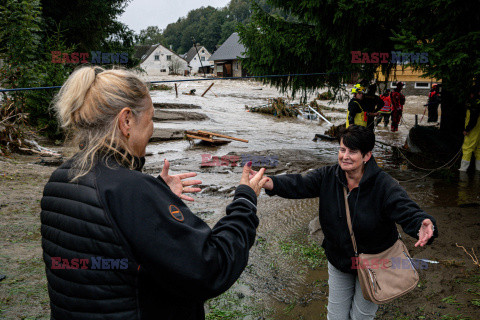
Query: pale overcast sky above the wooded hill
<point x="140" y="14"/>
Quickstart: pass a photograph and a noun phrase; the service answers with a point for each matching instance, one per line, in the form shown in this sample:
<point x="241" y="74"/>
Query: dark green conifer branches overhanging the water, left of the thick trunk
<point x="306" y="36"/>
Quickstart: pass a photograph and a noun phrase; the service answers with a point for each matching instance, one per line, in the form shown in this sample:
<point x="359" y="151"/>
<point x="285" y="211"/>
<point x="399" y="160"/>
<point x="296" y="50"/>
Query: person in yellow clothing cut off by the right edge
<point x="471" y="143"/>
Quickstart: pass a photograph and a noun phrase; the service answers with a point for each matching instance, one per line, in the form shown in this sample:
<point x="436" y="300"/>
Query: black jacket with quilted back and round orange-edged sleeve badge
<point x="119" y="244"/>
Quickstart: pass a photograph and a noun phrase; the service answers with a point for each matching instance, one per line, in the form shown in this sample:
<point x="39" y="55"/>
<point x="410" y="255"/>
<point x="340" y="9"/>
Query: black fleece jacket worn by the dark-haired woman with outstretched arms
<point x="376" y="205"/>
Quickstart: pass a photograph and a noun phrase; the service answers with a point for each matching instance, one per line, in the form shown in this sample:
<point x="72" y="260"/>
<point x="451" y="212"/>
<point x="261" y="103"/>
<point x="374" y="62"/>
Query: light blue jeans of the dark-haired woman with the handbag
<point x="345" y="298"/>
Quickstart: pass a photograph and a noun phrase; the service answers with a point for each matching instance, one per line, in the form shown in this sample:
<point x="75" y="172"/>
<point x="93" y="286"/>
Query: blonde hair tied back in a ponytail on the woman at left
<point x="88" y="105"/>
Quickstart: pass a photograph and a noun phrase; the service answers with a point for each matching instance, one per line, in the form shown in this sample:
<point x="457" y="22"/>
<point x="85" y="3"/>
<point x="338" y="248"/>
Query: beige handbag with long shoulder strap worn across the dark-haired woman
<point x="386" y="275"/>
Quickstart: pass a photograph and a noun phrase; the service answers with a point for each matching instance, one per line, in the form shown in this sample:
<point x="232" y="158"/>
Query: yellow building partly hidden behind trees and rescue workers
<point x="415" y="84"/>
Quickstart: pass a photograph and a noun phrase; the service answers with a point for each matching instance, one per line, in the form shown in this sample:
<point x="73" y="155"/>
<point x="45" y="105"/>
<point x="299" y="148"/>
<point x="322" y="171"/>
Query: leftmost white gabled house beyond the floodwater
<point x="157" y="60"/>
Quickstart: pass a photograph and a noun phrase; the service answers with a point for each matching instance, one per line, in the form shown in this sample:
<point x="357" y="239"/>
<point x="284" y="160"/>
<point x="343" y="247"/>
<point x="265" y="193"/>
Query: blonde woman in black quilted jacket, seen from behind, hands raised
<point x="120" y="244"/>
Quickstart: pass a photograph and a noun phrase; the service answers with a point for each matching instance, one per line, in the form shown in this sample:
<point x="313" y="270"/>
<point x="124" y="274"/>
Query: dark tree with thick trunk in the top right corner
<point x="449" y="31"/>
